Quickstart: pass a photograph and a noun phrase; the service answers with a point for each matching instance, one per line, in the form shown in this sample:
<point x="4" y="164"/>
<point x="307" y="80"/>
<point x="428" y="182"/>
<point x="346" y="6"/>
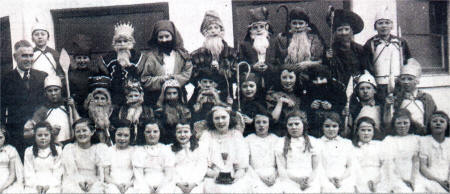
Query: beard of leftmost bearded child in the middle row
<point x="100" y="114"/>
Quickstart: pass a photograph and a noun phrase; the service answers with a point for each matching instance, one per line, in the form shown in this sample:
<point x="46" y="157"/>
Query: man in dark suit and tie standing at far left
<point x="21" y="94"/>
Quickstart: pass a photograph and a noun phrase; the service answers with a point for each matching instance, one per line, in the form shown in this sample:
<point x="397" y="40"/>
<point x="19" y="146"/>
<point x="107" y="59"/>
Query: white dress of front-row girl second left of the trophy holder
<point x="149" y="163"/>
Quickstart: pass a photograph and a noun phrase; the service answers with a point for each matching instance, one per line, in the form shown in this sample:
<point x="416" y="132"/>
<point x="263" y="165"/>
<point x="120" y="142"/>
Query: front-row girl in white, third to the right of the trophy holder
<point x="336" y="156"/>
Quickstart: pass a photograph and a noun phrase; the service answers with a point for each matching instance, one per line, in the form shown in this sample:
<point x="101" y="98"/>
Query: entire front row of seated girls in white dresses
<point x="222" y="160"/>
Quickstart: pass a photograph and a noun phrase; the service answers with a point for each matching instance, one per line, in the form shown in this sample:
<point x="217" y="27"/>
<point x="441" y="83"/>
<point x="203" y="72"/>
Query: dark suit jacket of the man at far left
<point x="17" y="99"/>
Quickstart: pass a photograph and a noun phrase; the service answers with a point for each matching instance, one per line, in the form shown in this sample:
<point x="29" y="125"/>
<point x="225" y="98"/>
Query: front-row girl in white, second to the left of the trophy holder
<point x="153" y="162"/>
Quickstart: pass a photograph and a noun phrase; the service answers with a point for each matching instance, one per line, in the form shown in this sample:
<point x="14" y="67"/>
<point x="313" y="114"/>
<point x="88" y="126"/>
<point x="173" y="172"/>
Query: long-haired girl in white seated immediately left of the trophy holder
<point x="190" y="161"/>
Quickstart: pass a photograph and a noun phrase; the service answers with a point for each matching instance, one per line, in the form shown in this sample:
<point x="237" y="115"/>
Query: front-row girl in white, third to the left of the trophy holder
<point x="119" y="176"/>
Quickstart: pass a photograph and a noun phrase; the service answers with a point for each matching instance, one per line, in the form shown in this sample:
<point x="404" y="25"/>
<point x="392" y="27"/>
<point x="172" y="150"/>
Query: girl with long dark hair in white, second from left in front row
<point x="42" y="162"/>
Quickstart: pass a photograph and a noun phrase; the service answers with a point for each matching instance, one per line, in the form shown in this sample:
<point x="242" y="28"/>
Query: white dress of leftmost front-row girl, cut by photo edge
<point x="7" y="154"/>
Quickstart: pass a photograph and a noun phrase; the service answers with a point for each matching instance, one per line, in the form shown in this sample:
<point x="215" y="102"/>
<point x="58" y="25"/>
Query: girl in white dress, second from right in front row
<point x="402" y="154"/>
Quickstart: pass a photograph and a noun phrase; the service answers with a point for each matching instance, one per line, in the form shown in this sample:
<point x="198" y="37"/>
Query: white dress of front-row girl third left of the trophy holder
<point x="121" y="168"/>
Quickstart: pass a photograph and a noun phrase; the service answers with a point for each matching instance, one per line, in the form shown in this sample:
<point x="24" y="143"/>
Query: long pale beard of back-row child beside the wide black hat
<point x="299" y="49"/>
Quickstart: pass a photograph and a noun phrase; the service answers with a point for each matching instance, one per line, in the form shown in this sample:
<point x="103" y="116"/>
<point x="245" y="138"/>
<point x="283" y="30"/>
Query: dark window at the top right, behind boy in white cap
<point x="426" y="33"/>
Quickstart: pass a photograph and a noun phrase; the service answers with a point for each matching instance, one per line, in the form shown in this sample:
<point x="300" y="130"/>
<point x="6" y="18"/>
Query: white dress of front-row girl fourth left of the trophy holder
<point x="83" y="165"/>
